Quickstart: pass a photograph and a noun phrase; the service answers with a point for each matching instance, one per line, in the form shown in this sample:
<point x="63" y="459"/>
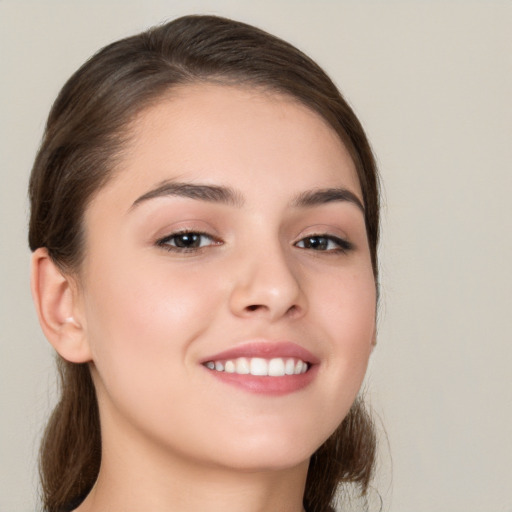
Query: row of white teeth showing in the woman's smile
<point x="275" y="367"/>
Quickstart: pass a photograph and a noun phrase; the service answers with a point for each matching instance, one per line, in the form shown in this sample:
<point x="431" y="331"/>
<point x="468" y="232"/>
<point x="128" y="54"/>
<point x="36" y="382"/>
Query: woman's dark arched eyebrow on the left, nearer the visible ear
<point x="202" y="192"/>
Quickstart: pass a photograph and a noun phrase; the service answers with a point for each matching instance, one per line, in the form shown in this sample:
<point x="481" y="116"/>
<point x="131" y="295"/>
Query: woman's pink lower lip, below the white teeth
<point x="265" y="385"/>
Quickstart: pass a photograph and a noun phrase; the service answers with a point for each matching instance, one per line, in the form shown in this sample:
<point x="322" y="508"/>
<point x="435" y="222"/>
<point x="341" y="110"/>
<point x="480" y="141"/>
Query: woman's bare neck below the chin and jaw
<point x="135" y="477"/>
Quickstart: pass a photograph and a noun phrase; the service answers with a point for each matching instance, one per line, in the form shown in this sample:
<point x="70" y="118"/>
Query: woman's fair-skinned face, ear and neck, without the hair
<point x="267" y="267"/>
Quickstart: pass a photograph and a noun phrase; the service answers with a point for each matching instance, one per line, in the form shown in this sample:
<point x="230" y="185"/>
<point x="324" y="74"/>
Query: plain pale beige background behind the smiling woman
<point x="432" y="83"/>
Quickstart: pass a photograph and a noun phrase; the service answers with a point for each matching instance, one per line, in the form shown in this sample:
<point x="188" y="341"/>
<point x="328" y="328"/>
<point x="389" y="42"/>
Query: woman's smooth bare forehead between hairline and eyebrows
<point x="236" y="136"/>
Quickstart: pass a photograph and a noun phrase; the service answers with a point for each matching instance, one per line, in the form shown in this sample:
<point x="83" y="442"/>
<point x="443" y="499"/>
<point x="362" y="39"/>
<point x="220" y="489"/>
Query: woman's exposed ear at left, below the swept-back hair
<point x="59" y="308"/>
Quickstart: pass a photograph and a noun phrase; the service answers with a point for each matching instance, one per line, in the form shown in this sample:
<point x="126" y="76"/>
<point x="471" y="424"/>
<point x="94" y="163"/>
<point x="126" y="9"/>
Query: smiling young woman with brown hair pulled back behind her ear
<point x="204" y="225"/>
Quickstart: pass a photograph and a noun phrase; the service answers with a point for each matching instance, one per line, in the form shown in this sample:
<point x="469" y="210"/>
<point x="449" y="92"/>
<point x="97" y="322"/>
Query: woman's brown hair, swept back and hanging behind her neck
<point x="85" y="134"/>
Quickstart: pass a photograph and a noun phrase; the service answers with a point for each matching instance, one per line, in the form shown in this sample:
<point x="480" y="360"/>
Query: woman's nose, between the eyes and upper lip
<point x="267" y="284"/>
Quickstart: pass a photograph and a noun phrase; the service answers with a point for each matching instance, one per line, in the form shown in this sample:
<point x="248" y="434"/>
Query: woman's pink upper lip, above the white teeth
<point x="266" y="350"/>
